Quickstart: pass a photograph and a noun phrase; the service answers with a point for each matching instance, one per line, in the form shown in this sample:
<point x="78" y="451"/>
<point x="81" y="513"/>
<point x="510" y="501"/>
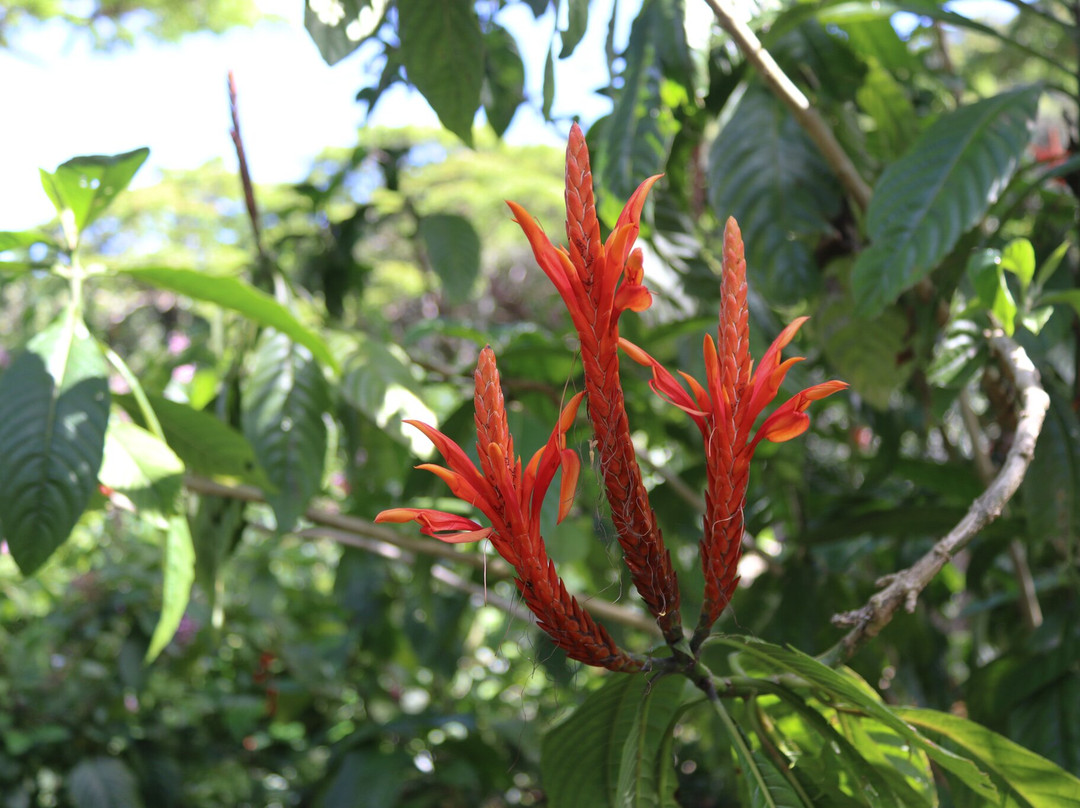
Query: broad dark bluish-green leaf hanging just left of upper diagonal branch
<point x="766" y="172"/>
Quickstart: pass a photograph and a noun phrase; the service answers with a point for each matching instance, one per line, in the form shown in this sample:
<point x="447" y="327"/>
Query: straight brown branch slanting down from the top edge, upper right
<point x="796" y="101"/>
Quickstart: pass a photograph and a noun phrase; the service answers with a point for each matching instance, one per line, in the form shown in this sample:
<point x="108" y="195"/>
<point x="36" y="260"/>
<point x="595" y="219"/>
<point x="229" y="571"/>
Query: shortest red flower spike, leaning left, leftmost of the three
<point x="511" y="499"/>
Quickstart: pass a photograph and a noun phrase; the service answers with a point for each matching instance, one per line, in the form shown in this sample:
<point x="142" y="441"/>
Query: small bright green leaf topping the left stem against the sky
<point x="84" y="187"/>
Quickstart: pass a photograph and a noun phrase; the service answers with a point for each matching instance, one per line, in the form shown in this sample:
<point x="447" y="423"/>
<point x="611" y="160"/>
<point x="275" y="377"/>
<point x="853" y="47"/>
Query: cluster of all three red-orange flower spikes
<point x="599" y="281"/>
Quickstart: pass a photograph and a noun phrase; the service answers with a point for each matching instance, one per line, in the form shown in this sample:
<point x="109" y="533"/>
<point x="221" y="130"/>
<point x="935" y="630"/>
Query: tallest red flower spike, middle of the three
<point x="599" y="281"/>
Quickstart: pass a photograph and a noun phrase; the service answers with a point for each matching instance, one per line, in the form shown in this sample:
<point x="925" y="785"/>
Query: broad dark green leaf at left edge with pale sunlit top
<point x="55" y="408"/>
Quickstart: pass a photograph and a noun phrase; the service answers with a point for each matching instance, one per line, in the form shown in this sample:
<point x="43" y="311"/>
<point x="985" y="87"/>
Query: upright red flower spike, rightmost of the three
<point x="725" y="410"/>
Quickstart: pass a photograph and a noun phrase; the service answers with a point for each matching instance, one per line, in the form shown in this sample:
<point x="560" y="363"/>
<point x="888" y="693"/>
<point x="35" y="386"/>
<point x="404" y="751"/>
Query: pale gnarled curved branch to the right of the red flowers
<point x="903" y="588"/>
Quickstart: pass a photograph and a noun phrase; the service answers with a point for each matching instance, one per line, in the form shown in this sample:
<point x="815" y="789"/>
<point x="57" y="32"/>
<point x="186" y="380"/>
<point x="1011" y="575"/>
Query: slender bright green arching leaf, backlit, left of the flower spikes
<point x="235" y="294"/>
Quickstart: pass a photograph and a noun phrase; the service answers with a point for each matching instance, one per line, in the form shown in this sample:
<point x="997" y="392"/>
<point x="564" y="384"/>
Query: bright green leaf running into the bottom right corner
<point x="1035" y="782"/>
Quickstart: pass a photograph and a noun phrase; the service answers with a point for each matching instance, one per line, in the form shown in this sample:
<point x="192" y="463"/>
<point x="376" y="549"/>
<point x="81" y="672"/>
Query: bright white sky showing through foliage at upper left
<point x="61" y="100"/>
